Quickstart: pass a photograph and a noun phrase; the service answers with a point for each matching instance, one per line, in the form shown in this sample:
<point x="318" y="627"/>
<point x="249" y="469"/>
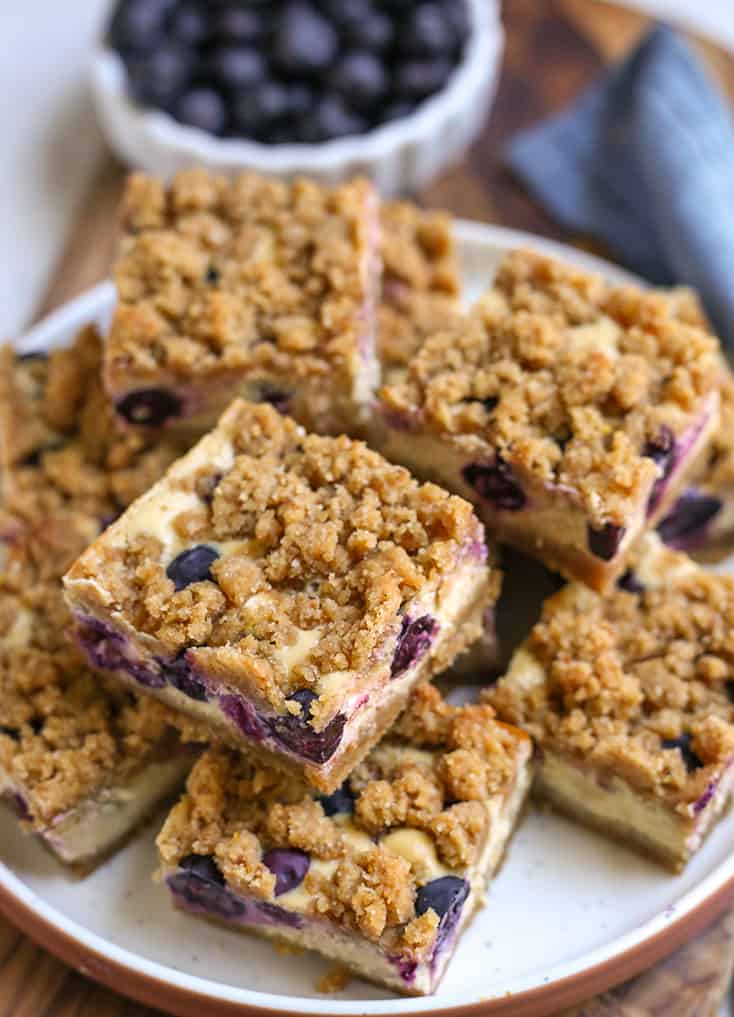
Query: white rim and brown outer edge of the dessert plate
<point x="160" y="986"/>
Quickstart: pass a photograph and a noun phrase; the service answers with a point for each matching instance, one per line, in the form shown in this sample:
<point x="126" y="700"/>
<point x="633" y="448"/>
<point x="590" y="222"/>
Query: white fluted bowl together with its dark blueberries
<point x="392" y="89"/>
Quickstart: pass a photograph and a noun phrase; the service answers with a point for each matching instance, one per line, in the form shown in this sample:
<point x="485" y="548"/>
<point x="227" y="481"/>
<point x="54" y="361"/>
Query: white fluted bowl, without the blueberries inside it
<point x="401" y="157"/>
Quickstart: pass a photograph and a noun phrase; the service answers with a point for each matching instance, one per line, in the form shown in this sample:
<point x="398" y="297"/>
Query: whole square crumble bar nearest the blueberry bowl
<point x="253" y="287"/>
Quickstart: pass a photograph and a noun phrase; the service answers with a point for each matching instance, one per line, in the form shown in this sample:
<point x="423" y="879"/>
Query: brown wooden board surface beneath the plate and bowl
<point x="555" y="49"/>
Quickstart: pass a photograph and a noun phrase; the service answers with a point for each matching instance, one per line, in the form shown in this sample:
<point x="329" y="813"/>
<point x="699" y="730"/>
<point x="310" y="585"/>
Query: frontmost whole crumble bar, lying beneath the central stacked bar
<point x="385" y="874"/>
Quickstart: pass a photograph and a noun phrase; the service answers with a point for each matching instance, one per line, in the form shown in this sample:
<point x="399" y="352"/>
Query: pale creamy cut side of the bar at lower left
<point x="96" y="825"/>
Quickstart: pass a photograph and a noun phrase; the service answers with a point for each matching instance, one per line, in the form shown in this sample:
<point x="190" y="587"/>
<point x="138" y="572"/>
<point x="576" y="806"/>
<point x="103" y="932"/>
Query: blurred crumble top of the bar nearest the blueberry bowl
<point x="219" y="275"/>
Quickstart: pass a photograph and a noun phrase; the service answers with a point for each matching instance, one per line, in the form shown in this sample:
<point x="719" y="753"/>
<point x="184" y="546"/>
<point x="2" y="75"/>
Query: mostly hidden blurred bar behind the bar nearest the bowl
<point x="421" y="283"/>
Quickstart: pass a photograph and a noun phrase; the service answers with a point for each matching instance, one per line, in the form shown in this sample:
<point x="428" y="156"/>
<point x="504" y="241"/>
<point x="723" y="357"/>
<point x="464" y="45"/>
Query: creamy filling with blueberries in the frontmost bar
<point x="199" y="887"/>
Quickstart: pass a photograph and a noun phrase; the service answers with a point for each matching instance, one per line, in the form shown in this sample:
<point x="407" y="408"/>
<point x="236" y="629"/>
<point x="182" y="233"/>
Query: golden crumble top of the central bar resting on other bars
<point x="317" y="535"/>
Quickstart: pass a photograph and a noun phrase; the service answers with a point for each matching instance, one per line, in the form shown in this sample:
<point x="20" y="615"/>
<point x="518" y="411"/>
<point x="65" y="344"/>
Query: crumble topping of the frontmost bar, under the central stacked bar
<point x="236" y="810"/>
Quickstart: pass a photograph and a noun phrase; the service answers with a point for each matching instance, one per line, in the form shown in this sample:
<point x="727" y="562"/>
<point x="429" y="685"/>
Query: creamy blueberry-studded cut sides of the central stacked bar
<point x="185" y="684"/>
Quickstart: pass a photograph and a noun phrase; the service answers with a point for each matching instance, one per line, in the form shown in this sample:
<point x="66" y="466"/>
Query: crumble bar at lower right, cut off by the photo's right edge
<point x="629" y="698"/>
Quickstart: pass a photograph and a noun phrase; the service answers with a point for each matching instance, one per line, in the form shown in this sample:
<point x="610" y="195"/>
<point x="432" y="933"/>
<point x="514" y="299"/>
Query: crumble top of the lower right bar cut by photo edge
<point x="626" y="676"/>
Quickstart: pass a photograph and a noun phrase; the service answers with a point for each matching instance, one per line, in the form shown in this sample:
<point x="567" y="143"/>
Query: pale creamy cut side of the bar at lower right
<point x="606" y="801"/>
